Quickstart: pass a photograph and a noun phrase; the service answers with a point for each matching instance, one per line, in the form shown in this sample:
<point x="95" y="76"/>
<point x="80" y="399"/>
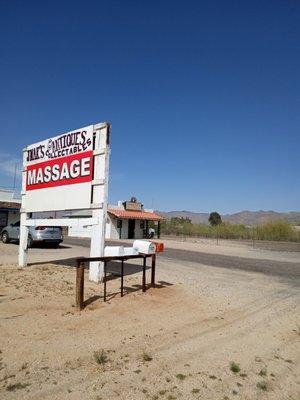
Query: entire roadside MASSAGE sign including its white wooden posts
<point x="68" y="172"/>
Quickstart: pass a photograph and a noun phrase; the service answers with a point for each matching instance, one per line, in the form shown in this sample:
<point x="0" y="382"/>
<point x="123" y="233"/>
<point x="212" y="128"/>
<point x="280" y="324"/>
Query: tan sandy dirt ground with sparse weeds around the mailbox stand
<point x="177" y="341"/>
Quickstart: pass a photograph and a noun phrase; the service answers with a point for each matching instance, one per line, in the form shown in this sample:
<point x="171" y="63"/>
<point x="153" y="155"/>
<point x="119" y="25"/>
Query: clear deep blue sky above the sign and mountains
<point x="203" y="97"/>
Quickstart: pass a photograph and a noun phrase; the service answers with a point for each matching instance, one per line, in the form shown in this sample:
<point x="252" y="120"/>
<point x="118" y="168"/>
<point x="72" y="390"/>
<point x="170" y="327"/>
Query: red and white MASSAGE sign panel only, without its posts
<point x="59" y="172"/>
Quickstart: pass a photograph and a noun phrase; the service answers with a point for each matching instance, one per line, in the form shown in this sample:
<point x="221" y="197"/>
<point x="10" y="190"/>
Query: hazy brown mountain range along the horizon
<point x="242" y="217"/>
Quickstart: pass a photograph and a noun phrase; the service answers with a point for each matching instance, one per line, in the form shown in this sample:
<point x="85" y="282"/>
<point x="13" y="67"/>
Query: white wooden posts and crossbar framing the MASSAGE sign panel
<point x="99" y="196"/>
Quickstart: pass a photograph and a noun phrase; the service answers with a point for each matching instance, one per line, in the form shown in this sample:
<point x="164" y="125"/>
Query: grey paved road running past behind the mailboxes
<point x="289" y="270"/>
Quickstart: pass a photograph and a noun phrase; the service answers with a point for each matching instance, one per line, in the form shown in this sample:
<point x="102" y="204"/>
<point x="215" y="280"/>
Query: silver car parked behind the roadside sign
<point x="36" y="234"/>
